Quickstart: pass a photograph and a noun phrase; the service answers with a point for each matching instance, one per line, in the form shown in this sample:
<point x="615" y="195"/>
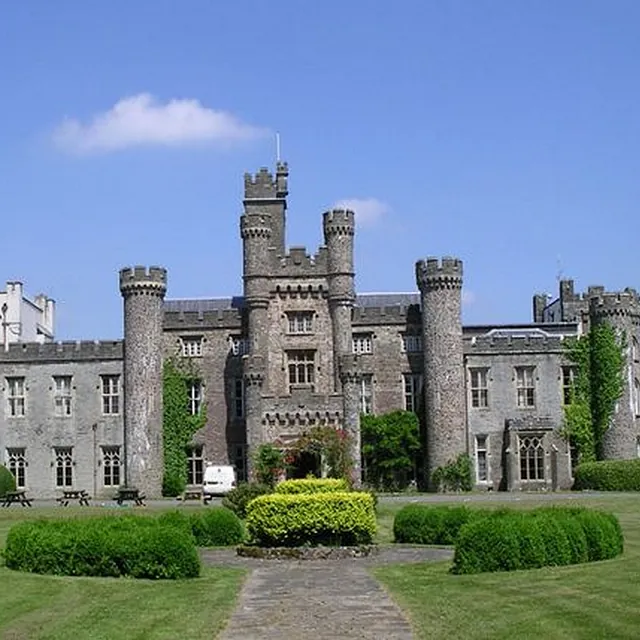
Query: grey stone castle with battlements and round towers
<point x="298" y="349"/>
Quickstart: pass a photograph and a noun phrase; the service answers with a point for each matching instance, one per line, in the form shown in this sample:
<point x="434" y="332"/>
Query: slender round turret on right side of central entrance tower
<point x="339" y="227"/>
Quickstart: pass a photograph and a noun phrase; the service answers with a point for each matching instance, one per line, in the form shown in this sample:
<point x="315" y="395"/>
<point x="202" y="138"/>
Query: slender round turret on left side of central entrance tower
<point x="255" y="229"/>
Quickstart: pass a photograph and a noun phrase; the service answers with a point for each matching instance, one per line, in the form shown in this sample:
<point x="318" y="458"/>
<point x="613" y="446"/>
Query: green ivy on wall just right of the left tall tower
<point x="178" y="425"/>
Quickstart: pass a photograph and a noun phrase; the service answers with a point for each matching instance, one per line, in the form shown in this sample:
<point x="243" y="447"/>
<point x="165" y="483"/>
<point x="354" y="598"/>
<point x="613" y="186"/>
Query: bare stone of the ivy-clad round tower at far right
<point x="622" y="312"/>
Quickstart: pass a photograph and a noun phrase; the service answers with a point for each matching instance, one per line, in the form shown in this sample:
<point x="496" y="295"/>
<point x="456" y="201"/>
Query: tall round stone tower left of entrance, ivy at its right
<point x="143" y="291"/>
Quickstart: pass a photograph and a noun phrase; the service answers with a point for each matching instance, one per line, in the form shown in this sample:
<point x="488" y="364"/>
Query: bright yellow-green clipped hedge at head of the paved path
<point x="291" y="520"/>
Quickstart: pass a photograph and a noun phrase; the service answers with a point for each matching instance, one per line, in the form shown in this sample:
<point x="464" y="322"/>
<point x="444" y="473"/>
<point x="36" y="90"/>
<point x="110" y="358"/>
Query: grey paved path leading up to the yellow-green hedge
<point x="319" y="600"/>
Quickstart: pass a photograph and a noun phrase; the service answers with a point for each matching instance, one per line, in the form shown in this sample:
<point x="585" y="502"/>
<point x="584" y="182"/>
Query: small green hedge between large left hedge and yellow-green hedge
<point x="215" y="527"/>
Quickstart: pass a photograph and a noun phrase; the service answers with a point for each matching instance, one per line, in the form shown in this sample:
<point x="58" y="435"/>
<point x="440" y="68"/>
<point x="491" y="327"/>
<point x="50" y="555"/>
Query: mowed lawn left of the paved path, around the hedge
<point x="58" y="608"/>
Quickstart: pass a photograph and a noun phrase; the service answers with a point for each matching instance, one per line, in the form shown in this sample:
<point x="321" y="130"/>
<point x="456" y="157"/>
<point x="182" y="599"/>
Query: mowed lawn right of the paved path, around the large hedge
<point x="595" y="600"/>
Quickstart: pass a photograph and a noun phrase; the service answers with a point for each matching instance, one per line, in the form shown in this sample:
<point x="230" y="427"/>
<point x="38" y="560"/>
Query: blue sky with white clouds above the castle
<point x="503" y="132"/>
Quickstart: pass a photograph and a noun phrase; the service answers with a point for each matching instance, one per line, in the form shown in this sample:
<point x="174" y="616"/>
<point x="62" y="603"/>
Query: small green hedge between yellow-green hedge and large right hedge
<point x="422" y="524"/>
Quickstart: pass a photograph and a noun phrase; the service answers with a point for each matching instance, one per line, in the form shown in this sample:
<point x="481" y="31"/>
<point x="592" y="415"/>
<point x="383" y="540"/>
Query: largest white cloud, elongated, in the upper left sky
<point x="142" y="120"/>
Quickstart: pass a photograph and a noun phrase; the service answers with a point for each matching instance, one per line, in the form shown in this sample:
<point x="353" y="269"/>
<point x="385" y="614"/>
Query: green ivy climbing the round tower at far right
<point x="599" y="360"/>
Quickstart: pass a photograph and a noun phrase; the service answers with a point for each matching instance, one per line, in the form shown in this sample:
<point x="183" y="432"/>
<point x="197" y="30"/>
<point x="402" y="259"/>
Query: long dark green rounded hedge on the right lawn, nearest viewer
<point x="511" y="540"/>
